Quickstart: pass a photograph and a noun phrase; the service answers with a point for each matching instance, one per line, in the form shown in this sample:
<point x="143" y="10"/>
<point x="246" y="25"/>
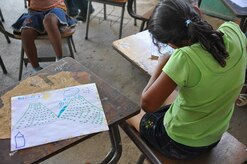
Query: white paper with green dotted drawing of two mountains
<point x="56" y="115"/>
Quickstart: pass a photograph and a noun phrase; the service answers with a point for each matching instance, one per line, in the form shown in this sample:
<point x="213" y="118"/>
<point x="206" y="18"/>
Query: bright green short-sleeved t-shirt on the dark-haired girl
<point x="207" y="92"/>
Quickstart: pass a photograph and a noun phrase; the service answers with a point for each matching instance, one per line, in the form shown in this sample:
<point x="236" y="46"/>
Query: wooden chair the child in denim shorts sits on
<point x="23" y="60"/>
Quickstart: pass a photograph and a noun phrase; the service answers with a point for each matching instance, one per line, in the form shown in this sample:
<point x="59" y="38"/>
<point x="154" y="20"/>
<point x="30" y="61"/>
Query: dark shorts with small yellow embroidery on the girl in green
<point x="153" y="132"/>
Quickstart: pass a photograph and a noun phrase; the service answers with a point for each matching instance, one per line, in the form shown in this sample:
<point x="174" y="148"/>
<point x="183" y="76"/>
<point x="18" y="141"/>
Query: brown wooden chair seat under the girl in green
<point x="228" y="151"/>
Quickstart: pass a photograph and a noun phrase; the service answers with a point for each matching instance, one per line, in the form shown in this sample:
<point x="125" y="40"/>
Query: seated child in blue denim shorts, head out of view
<point x="43" y="17"/>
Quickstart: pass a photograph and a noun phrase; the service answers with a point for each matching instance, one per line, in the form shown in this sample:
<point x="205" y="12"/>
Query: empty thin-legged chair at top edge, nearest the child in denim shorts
<point x="119" y="3"/>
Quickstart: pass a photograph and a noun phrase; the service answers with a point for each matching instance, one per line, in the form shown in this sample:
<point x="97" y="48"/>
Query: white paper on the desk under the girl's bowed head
<point x="165" y="49"/>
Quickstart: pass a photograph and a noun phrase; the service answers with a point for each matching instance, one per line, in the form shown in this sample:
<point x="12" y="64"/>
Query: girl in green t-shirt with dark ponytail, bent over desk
<point x="202" y="68"/>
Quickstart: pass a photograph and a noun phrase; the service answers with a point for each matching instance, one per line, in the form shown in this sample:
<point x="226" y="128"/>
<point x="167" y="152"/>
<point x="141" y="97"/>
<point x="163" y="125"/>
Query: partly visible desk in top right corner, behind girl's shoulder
<point x="240" y="12"/>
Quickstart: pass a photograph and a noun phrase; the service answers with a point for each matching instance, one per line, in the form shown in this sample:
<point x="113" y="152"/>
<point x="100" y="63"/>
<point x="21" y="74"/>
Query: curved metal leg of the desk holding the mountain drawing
<point x="116" y="151"/>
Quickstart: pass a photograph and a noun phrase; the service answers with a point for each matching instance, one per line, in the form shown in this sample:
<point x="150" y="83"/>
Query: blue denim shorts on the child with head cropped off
<point x="34" y="20"/>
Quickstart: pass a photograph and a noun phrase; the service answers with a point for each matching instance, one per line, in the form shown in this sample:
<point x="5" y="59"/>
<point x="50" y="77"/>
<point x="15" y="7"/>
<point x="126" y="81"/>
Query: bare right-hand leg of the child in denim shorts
<point x="54" y="35"/>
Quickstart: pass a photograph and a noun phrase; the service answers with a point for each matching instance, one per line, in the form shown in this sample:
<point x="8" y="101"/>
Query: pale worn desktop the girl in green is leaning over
<point x="137" y="49"/>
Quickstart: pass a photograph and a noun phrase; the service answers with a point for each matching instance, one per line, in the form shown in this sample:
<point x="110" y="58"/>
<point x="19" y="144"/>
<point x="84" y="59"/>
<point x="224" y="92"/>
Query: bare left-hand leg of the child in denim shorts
<point x="28" y="36"/>
